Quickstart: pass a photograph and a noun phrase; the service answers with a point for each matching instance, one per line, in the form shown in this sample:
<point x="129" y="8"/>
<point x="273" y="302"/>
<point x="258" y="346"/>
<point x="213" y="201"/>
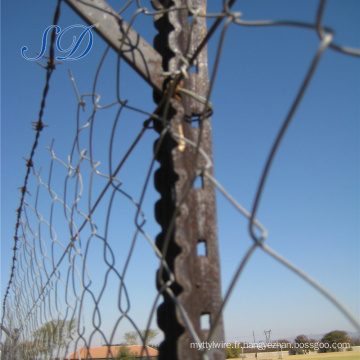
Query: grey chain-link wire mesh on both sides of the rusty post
<point x="81" y="229"/>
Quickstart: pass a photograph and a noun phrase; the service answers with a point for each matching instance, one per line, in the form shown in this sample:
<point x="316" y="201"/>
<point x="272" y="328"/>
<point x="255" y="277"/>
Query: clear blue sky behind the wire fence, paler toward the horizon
<point x="310" y="204"/>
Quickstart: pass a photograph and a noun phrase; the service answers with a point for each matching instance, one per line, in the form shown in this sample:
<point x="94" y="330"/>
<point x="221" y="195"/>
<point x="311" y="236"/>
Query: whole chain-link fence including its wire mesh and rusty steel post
<point x="87" y="262"/>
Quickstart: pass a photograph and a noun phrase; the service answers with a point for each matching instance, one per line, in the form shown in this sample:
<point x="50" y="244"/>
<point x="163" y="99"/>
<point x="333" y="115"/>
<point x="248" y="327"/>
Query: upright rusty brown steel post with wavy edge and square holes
<point x="186" y="213"/>
